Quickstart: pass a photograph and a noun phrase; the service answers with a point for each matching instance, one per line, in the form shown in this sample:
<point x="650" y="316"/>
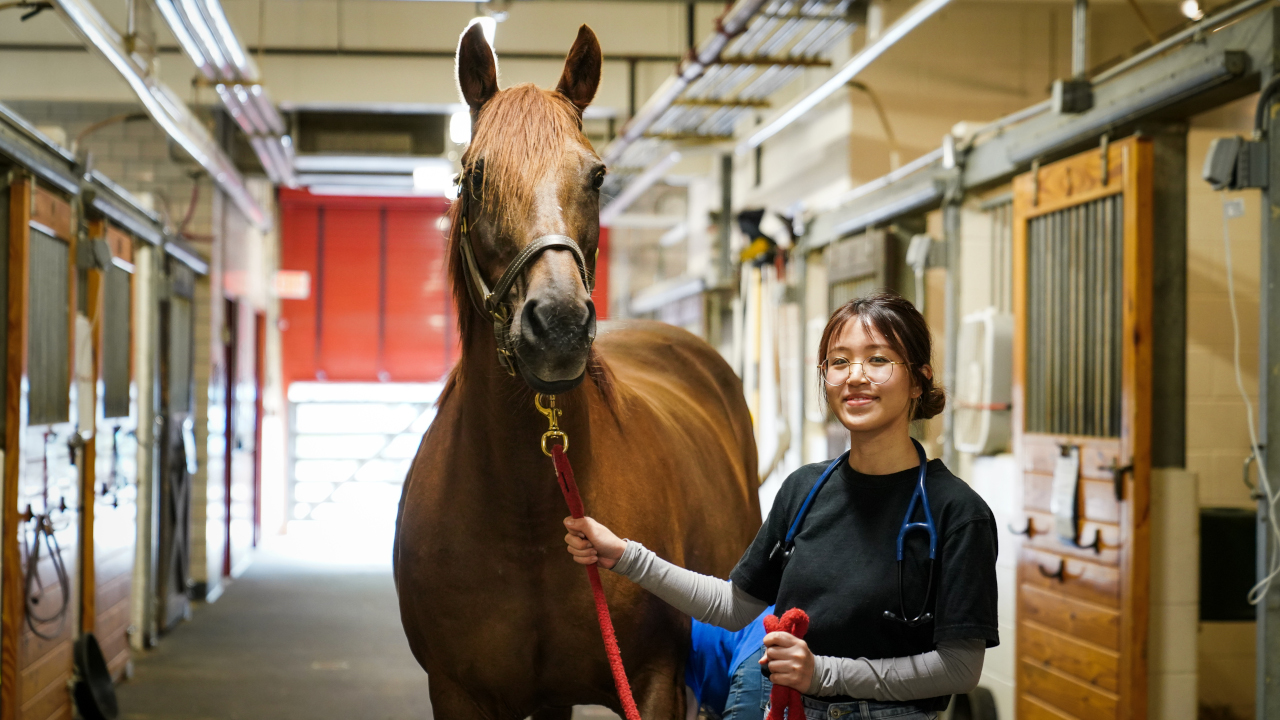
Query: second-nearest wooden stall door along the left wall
<point x="111" y="466"/>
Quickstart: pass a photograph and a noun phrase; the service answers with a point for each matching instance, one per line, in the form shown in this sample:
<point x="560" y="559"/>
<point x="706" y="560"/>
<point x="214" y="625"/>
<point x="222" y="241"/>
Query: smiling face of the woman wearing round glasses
<point x="861" y="405"/>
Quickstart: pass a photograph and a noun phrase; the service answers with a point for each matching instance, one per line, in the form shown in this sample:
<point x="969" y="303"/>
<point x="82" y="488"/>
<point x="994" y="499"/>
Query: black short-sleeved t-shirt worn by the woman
<point x="844" y="569"/>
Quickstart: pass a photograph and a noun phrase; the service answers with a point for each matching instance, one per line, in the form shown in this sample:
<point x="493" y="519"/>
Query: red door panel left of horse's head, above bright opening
<point x="380" y="307"/>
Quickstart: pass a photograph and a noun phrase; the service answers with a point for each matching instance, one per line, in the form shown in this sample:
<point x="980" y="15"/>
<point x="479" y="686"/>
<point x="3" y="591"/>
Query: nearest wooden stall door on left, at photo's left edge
<point x="42" y="482"/>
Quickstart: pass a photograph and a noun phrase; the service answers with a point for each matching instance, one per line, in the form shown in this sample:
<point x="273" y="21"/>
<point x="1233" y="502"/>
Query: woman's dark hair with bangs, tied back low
<point x="907" y="332"/>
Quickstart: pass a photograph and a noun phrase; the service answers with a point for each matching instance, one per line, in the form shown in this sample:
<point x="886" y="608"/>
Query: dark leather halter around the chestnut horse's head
<point x="495" y="303"/>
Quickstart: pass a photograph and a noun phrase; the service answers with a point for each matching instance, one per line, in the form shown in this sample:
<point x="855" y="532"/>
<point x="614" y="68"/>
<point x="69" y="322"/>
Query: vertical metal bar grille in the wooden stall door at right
<point x="1073" y="320"/>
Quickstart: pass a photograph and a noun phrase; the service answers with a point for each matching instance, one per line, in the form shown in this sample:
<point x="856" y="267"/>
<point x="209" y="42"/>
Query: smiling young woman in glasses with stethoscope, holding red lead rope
<point x="888" y="637"/>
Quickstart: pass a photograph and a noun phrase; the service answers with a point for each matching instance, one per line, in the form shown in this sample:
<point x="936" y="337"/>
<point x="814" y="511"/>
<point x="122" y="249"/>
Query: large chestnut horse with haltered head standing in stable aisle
<point x="496" y="612"/>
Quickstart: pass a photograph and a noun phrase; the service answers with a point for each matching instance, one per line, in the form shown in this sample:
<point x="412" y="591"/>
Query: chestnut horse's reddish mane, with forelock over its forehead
<point x="520" y="134"/>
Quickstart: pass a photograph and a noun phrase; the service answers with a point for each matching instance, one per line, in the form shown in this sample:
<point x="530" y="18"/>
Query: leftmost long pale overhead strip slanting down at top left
<point x="168" y="112"/>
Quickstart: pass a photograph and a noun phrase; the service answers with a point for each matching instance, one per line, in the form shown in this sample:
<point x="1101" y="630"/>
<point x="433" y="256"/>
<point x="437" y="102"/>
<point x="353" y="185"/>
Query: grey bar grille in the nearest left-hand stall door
<point x="49" y="316"/>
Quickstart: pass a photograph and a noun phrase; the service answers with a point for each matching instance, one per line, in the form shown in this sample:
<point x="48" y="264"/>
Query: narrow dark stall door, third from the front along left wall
<point x="177" y="449"/>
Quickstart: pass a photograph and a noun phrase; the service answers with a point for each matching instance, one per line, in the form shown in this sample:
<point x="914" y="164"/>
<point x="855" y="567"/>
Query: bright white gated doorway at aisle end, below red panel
<point x="350" y="446"/>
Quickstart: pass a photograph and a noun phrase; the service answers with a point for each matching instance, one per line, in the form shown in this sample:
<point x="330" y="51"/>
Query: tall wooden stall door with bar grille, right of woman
<point x="1082" y="384"/>
